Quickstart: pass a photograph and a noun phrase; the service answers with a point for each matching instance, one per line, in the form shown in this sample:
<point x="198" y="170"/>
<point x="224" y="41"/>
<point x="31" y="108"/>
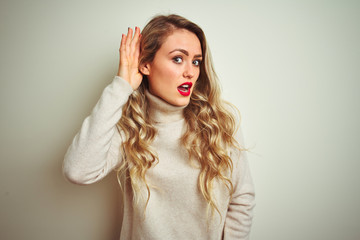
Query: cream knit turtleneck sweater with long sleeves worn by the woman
<point x="176" y="208"/>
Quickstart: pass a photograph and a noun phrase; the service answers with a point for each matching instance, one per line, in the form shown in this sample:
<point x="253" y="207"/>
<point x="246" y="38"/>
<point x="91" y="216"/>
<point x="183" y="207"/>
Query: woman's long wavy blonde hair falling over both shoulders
<point x="210" y="124"/>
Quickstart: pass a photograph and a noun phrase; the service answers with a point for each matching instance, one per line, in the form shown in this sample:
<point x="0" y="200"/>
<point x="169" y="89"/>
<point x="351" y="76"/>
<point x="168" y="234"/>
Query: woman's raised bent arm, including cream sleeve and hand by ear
<point x="95" y="150"/>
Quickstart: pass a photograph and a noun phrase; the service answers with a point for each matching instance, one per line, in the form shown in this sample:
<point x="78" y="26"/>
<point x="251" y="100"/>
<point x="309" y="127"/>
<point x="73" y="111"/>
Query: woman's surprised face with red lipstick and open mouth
<point x="175" y="68"/>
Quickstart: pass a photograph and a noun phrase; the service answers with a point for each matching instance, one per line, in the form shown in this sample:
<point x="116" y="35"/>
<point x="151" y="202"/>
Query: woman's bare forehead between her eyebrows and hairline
<point x="184" y="39"/>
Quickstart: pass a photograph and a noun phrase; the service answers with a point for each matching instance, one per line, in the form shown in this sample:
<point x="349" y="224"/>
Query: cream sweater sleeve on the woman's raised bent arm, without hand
<point x="95" y="150"/>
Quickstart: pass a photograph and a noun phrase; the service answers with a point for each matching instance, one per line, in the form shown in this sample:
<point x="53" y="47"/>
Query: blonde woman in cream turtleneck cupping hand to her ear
<point x="162" y="124"/>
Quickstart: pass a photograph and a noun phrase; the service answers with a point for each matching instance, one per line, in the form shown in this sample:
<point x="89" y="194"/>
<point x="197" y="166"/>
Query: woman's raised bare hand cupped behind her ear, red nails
<point x="129" y="58"/>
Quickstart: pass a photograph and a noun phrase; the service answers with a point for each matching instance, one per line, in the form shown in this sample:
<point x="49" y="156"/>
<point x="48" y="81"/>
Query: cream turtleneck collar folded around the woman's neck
<point x="161" y="111"/>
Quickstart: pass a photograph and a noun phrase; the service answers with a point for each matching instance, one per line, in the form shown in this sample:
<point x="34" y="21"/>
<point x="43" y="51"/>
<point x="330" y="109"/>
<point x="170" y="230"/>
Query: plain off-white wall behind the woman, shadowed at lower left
<point x="291" y="67"/>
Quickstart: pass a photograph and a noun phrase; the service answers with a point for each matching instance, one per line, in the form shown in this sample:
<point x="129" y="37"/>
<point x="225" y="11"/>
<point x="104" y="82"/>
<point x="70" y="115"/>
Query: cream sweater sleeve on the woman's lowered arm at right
<point x="240" y="211"/>
